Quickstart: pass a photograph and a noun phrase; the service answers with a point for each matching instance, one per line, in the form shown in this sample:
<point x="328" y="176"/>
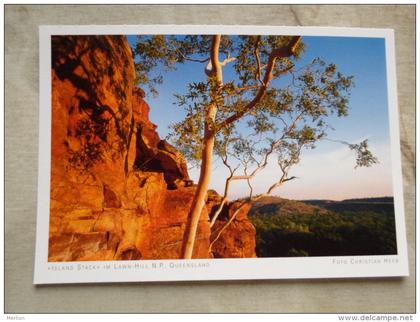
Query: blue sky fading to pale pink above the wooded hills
<point x="328" y="171"/>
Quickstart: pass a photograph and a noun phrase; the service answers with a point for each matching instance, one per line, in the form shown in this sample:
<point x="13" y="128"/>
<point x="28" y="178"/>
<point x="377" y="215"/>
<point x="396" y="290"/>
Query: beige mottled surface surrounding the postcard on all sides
<point x="361" y="295"/>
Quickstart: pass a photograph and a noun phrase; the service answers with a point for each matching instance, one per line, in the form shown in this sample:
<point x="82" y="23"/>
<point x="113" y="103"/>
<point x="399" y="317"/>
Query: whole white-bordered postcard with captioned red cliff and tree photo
<point x="175" y="152"/>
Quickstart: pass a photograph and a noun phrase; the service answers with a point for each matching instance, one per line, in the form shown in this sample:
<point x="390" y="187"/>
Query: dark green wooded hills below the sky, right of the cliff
<point x="288" y="228"/>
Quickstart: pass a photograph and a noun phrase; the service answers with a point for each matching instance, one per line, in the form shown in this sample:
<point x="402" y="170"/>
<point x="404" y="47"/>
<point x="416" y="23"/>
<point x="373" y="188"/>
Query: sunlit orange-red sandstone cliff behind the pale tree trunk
<point x="117" y="190"/>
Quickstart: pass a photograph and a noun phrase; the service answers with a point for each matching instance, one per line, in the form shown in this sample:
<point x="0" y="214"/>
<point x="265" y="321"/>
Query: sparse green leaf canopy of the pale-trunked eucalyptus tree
<point x="298" y="106"/>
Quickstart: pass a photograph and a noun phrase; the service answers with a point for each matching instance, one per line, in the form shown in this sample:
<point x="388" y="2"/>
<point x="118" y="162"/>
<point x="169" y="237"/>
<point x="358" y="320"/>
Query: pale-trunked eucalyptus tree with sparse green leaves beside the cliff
<point x="266" y="106"/>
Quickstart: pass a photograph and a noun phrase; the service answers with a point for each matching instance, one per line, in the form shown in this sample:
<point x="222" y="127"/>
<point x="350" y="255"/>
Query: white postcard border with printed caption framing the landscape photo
<point x="211" y="269"/>
